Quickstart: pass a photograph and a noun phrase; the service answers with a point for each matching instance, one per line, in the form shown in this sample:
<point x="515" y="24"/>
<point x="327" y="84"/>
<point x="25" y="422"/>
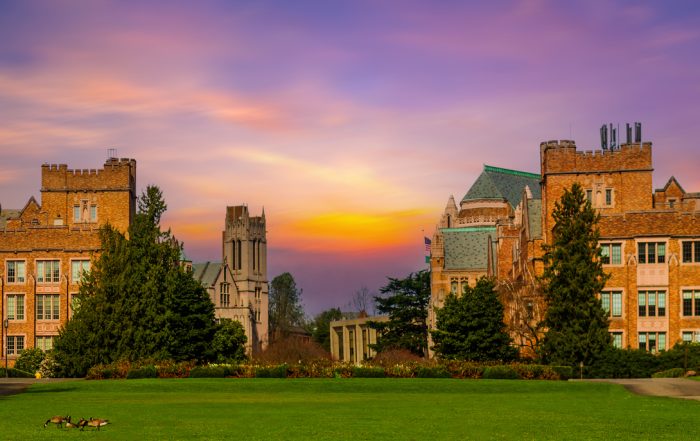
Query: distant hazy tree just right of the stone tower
<point x="285" y="310"/>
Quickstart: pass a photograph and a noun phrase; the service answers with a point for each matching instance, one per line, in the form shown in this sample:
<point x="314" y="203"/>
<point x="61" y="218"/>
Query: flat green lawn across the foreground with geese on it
<point x="312" y="409"/>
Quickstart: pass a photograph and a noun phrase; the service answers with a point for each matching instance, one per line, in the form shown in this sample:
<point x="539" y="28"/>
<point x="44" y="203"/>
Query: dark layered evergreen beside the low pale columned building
<point x="407" y="308"/>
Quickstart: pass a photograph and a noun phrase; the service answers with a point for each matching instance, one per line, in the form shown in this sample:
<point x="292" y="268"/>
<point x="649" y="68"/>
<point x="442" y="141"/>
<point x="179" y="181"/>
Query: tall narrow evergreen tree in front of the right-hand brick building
<point x="576" y="325"/>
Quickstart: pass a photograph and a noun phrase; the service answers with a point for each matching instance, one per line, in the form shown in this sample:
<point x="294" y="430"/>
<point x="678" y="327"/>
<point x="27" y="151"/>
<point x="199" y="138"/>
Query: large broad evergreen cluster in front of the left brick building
<point x="137" y="301"/>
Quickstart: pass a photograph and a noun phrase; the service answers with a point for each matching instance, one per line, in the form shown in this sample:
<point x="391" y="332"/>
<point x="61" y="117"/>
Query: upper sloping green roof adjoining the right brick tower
<point x="502" y="183"/>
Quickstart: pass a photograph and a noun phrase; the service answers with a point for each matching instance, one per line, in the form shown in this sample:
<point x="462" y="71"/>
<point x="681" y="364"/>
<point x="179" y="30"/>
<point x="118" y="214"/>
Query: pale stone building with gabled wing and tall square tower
<point x="238" y="284"/>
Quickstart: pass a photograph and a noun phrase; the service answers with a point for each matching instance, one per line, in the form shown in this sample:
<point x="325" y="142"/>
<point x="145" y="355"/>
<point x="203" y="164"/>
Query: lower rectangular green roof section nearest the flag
<point x="467" y="247"/>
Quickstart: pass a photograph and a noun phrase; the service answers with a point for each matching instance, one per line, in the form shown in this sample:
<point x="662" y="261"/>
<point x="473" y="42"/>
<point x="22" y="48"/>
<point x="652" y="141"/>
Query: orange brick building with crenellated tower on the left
<point x="44" y="247"/>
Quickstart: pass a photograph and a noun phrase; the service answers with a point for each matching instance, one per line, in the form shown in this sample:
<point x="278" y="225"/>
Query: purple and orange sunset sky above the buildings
<point x="351" y="123"/>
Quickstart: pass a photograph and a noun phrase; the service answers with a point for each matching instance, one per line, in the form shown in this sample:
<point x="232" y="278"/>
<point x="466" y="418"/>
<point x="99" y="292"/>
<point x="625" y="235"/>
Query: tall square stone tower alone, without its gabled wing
<point x="245" y="254"/>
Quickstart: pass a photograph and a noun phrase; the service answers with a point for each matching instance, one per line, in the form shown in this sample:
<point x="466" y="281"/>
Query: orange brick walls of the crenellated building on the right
<point x="650" y="242"/>
